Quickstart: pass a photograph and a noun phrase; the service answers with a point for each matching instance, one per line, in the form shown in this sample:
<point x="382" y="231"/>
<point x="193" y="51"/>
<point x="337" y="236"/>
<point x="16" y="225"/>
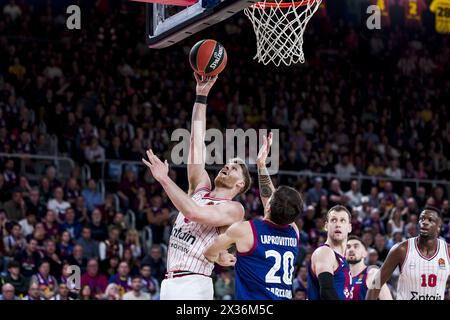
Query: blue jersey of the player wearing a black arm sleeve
<point x="342" y="280"/>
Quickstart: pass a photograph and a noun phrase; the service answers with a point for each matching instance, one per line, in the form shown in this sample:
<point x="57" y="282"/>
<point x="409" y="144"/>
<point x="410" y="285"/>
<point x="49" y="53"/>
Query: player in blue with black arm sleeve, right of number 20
<point x="329" y="276"/>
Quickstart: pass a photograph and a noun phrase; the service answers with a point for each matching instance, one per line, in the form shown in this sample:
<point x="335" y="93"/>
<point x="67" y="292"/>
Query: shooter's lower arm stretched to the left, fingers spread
<point x="223" y="214"/>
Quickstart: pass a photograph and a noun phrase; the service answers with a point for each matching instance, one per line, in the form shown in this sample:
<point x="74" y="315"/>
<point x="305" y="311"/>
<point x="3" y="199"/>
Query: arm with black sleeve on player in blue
<point x="324" y="263"/>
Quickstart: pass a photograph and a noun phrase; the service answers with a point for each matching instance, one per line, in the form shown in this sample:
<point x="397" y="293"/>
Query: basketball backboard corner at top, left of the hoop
<point x="169" y="24"/>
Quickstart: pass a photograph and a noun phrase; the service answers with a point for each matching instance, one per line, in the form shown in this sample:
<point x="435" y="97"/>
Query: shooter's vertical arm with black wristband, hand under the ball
<point x="197" y="175"/>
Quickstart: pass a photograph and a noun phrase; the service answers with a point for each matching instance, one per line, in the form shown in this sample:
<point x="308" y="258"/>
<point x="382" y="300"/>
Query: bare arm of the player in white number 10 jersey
<point x="394" y="258"/>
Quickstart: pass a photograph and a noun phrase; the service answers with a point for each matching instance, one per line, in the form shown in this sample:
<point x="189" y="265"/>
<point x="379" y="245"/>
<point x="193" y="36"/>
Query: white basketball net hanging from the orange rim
<point x="279" y="26"/>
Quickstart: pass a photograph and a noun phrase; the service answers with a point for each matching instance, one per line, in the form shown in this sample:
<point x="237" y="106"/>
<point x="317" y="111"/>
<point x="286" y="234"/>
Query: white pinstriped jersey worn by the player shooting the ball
<point x="189" y="239"/>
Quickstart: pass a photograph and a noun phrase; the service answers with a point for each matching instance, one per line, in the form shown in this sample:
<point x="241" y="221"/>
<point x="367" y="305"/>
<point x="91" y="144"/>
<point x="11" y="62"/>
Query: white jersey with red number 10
<point x="423" y="278"/>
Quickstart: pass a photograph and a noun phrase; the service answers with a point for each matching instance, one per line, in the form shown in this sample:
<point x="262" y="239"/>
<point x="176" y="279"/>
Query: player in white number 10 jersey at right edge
<point x="424" y="263"/>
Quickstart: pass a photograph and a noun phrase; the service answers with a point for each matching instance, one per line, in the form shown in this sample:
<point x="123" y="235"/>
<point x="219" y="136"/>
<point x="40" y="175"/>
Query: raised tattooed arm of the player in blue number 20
<point x="266" y="187"/>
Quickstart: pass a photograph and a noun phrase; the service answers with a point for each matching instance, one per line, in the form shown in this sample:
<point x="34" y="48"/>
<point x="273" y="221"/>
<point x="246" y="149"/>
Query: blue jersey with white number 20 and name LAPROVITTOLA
<point x="266" y="271"/>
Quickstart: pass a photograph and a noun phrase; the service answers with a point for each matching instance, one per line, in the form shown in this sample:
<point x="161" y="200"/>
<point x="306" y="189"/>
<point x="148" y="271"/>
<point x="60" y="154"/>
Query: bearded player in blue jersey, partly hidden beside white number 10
<point x="362" y="274"/>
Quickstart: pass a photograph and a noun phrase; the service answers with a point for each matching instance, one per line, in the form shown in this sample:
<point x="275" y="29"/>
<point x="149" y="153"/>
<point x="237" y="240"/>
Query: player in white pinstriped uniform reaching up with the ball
<point x="204" y="213"/>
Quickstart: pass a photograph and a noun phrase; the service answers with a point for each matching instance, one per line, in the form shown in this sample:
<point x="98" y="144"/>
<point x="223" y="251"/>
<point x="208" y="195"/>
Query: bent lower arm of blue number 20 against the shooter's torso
<point x="216" y="252"/>
